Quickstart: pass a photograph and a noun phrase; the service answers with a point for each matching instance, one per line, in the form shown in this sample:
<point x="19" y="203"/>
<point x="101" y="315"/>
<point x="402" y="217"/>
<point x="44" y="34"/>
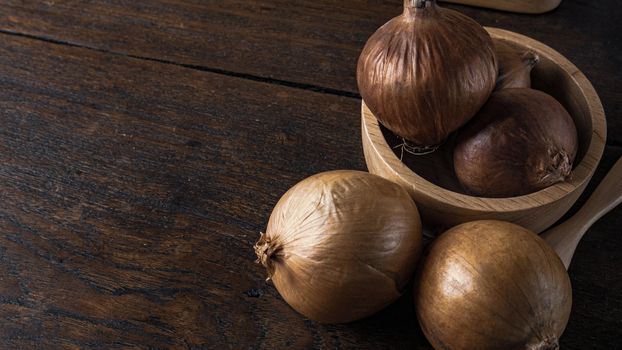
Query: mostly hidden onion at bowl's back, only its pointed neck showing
<point x="515" y="66"/>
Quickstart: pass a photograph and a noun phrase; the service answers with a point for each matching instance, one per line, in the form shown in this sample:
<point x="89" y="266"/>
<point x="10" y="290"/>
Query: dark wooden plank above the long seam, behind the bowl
<point x="310" y="44"/>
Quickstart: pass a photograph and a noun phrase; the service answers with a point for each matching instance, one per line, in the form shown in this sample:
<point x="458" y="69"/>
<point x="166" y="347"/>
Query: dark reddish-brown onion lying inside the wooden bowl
<point x="522" y="141"/>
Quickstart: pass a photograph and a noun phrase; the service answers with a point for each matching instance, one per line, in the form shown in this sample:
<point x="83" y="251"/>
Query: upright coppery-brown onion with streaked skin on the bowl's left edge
<point x="427" y="72"/>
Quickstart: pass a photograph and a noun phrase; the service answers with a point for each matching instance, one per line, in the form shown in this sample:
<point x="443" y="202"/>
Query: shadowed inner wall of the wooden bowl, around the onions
<point x="547" y="76"/>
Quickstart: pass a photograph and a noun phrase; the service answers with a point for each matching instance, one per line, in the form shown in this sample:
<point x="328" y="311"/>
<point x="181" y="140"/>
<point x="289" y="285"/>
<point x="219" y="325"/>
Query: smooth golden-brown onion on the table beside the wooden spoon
<point x="492" y="285"/>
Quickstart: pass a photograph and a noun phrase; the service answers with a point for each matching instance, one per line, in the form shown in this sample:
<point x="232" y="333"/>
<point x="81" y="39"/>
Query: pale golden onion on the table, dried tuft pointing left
<point x="341" y="245"/>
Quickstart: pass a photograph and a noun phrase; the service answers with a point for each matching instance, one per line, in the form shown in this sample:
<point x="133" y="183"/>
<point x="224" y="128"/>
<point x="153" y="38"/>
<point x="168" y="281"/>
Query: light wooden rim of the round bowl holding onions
<point x="581" y="174"/>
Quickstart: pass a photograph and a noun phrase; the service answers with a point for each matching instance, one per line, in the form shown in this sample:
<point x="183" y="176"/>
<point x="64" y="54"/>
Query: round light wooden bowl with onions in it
<point x="431" y="181"/>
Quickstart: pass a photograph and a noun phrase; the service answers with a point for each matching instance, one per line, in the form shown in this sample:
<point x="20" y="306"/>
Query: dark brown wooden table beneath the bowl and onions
<point x="143" y="145"/>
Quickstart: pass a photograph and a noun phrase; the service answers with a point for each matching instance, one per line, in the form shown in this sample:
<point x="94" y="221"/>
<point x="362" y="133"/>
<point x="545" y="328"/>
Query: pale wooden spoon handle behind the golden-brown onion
<point x="565" y="237"/>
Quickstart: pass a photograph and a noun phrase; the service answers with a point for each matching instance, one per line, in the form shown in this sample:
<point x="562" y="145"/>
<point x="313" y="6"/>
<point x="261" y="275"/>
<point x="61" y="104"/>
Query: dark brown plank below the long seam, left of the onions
<point x="132" y="192"/>
